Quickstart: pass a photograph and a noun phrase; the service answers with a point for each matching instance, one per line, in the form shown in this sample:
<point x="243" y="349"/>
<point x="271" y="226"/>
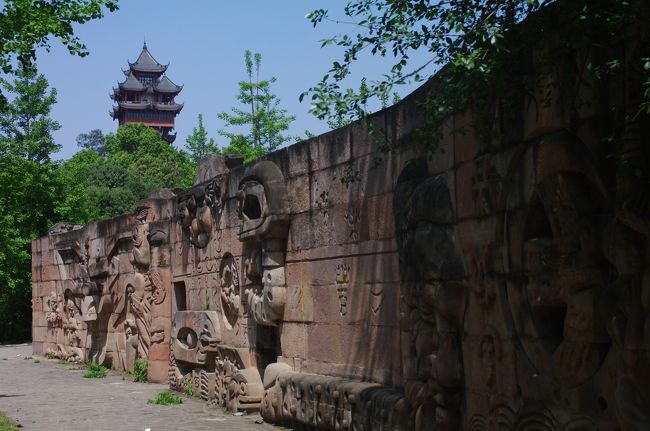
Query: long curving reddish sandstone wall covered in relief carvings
<point x="501" y="282"/>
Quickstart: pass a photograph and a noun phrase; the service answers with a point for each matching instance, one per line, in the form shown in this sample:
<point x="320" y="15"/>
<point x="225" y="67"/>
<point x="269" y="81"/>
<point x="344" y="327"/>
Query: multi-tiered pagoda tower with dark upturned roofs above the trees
<point x="147" y="96"/>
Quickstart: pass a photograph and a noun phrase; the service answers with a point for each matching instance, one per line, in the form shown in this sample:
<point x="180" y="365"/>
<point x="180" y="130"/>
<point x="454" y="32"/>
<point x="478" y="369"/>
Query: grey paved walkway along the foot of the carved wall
<point x="40" y="394"/>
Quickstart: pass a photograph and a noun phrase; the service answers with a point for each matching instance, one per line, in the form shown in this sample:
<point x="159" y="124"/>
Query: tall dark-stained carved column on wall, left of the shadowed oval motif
<point x="433" y="298"/>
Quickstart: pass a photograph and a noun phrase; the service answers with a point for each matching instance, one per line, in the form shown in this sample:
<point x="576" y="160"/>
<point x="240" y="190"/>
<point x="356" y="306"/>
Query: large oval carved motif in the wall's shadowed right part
<point x="556" y="249"/>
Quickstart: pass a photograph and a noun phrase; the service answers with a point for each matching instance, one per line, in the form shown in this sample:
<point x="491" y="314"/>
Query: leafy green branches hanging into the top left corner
<point x="26" y="25"/>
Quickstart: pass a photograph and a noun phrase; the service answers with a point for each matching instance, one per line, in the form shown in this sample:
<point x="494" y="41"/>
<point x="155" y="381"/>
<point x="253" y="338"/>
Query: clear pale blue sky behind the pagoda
<point x="204" y="40"/>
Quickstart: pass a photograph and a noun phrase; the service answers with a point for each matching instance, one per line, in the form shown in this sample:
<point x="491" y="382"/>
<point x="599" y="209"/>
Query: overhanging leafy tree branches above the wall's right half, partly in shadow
<point x="473" y="41"/>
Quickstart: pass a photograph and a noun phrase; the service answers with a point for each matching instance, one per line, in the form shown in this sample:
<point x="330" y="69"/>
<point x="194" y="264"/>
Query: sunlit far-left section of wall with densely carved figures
<point x="106" y="291"/>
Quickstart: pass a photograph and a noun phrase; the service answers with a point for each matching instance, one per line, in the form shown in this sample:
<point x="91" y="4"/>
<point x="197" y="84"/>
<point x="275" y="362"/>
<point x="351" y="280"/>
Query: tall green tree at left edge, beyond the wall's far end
<point x="29" y="190"/>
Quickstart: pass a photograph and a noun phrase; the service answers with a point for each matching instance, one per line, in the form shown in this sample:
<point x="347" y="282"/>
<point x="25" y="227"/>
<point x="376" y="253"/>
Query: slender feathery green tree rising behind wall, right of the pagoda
<point x="267" y="122"/>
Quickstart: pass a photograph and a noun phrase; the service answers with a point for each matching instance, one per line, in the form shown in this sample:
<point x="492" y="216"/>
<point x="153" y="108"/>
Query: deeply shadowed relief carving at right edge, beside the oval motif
<point x="628" y="308"/>
